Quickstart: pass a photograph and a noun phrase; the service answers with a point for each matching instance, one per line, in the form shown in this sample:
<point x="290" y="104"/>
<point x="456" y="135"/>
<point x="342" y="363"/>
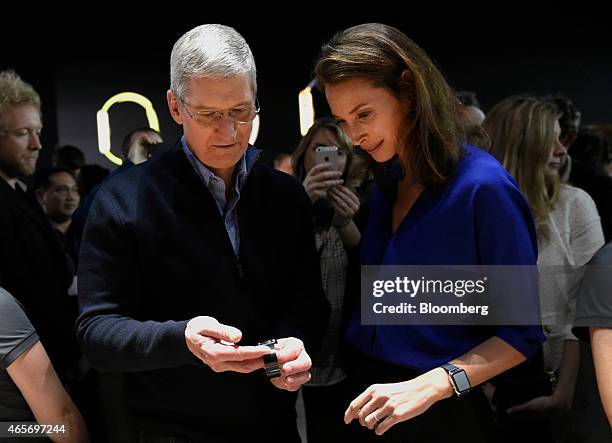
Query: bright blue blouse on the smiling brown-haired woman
<point x="478" y="218"/>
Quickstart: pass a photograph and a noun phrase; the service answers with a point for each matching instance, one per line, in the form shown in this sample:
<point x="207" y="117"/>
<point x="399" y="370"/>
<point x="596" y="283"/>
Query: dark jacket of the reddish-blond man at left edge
<point x="35" y="269"/>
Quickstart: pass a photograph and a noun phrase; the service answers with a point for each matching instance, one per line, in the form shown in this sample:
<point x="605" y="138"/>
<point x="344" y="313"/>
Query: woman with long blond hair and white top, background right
<point x="525" y="134"/>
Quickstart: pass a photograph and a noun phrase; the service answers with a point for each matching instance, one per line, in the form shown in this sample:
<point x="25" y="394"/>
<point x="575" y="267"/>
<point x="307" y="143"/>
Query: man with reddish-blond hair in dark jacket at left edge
<point x="33" y="265"/>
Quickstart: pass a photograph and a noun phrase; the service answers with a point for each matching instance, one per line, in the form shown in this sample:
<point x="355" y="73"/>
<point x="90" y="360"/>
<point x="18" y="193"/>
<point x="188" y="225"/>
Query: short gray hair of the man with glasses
<point x="216" y="51"/>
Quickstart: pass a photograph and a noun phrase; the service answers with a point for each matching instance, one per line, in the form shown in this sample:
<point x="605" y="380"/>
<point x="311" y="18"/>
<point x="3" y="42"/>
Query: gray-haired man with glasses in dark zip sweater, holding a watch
<point x="191" y="259"/>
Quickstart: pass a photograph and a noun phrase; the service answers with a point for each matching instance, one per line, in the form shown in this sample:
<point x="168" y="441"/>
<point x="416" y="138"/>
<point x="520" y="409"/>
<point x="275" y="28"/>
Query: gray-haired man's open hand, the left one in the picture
<point x="204" y="335"/>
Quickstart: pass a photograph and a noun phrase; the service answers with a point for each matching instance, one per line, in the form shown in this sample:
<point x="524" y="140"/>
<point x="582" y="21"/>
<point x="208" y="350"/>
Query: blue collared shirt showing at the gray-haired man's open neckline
<point x="216" y="186"/>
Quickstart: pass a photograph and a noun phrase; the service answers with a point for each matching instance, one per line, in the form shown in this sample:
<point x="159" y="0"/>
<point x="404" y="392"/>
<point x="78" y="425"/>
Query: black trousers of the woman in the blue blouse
<point x="466" y="419"/>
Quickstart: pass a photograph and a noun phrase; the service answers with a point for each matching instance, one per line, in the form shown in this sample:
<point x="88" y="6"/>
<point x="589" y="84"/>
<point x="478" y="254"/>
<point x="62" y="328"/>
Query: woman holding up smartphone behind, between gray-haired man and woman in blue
<point x="331" y="173"/>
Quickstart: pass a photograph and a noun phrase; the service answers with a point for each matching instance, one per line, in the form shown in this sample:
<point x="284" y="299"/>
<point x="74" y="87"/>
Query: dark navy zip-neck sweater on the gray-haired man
<point x="155" y="254"/>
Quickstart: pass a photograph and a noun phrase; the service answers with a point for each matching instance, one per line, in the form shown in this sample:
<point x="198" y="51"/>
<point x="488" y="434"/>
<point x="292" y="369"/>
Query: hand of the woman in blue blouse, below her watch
<point x="381" y="406"/>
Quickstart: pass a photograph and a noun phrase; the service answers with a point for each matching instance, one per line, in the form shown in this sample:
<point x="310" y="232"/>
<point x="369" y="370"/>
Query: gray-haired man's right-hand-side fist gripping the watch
<point x="294" y="362"/>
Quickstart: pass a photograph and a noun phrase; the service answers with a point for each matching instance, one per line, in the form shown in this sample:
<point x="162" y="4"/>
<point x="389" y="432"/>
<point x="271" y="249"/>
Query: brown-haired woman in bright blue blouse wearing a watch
<point x="442" y="202"/>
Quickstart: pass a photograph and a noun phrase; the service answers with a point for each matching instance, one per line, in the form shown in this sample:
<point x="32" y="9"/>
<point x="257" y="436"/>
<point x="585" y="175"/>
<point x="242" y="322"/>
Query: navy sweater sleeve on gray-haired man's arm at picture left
<point x="108" y="289"/>
